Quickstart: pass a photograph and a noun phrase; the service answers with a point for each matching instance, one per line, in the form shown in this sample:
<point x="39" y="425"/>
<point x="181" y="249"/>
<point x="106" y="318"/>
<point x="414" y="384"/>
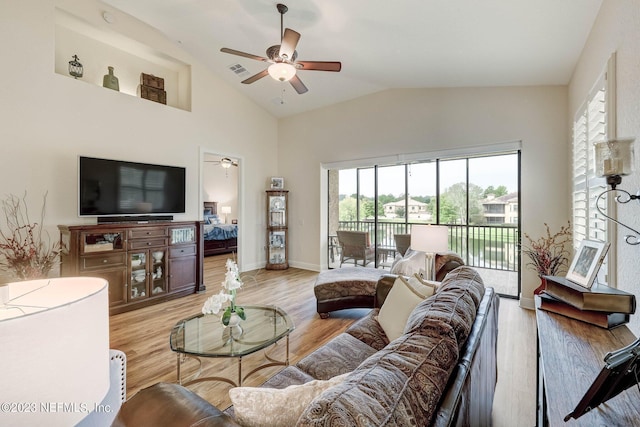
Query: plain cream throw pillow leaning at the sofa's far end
<point x="397" y="307"/>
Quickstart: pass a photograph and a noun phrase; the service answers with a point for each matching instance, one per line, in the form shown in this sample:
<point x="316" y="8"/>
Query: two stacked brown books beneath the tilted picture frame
<point x="601" y="305"/>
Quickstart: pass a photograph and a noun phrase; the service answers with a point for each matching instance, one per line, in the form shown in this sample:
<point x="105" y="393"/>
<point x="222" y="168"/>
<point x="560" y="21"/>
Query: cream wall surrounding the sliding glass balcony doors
<point x="427" y="120"/>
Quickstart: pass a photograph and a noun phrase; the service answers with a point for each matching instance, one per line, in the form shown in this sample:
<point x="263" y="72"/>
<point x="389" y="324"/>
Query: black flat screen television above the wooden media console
<point x="119" y="188"/>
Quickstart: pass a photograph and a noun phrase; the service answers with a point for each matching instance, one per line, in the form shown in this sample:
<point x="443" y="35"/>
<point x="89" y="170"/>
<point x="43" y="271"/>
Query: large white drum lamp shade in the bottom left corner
<point x="55" y="357"/>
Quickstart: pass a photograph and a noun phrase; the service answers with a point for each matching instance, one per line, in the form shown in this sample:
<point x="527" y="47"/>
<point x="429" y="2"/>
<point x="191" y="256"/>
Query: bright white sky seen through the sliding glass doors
<point x="483" y="171"/>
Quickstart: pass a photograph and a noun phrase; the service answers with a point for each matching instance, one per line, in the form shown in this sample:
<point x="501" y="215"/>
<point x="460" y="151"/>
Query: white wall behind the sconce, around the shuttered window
<point x="617" y="29"/>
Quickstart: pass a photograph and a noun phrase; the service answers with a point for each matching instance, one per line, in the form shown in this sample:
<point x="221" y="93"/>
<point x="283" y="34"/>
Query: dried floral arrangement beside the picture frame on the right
<point x="548" y="255"/>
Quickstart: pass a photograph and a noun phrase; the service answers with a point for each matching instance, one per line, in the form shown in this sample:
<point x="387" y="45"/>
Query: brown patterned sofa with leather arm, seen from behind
<point x="441" y="371"/>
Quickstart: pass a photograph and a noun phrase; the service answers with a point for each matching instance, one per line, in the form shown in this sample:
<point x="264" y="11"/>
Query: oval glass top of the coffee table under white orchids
<point x="206" y="336"/>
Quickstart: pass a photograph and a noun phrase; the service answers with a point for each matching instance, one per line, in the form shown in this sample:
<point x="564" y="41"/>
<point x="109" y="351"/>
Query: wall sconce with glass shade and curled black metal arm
<point x="613" y="160"/>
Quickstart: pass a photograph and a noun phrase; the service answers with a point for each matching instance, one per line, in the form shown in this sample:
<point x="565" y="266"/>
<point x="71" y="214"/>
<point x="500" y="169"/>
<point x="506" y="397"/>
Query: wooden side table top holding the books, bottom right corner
<point x="570" y="356"/>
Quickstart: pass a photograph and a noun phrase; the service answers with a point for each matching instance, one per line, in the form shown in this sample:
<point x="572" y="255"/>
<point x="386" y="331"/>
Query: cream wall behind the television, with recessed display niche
<point x="47" y="120"/>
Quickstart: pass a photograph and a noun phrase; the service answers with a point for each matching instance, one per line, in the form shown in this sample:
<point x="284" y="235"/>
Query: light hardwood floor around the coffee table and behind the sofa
<point x="143" y="335"/>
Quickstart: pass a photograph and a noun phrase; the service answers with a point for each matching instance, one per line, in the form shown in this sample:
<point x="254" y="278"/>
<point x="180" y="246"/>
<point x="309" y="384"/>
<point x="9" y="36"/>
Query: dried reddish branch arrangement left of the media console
<point x="25" y="248"/>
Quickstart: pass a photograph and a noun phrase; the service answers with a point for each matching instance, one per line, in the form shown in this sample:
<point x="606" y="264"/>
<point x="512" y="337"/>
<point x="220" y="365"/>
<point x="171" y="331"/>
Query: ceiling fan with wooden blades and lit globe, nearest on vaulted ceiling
<point x="283" y="58"/>
